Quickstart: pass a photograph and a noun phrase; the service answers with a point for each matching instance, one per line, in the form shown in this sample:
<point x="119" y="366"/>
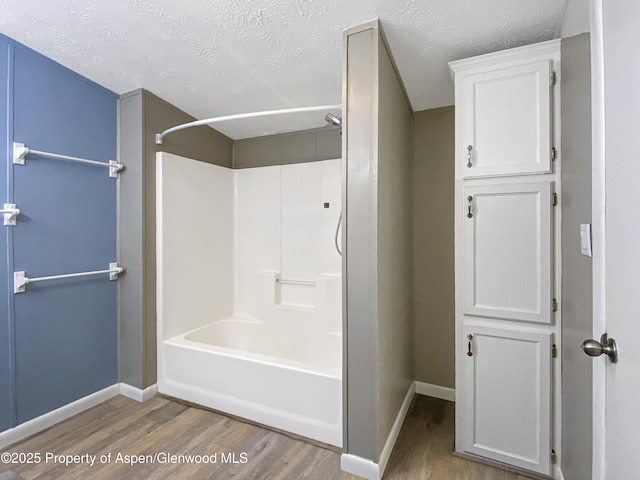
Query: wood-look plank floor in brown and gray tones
<point x="161" y="427"/>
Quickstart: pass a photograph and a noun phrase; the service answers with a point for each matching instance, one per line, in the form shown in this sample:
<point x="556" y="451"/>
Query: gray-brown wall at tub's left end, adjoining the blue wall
<point x="141" y="116"/>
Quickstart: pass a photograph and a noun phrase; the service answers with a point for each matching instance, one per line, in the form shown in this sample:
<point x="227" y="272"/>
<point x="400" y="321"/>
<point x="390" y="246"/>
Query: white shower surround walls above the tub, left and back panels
<point x="255" y="243"/>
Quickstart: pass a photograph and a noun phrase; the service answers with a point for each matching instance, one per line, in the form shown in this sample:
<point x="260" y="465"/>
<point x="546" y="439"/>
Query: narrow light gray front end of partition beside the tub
<point x="359" y="258"/>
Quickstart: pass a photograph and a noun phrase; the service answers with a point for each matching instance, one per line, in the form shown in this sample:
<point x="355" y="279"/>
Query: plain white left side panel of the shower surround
<point x="194" y="243"/>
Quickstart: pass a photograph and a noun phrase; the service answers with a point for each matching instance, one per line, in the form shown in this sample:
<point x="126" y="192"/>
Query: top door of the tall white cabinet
<point x="507" y="121"/>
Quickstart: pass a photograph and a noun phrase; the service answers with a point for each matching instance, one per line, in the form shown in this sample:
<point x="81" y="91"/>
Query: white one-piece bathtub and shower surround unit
<point x="249" y="292"/>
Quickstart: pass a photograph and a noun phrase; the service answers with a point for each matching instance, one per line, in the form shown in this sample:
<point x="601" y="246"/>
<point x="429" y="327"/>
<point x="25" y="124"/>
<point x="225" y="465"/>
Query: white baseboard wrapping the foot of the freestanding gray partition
<point x="368" y="468"/>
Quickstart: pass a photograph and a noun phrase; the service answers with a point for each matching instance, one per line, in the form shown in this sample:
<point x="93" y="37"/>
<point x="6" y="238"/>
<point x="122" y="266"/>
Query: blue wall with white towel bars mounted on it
<point x="59" y="339"/>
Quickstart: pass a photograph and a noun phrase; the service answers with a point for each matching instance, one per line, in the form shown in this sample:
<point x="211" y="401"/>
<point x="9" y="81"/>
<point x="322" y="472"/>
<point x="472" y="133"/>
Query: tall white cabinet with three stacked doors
<point x="506" y="251"/>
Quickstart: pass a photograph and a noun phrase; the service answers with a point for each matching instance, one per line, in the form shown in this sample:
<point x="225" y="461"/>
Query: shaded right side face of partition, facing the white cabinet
<point x="395" y="243"/>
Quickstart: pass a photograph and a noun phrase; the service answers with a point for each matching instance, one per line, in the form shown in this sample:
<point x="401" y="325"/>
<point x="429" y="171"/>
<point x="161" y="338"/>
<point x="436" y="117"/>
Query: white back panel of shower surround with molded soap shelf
<point x="284" y="227"/>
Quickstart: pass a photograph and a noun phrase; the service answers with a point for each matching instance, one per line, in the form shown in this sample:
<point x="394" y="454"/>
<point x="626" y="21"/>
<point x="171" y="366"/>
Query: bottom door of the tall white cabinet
<point x="507" y="396"/>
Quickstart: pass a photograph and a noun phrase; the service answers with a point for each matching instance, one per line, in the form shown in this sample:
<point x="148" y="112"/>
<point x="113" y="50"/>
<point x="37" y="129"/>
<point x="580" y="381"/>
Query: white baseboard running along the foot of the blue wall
<point x="27" y="429"/>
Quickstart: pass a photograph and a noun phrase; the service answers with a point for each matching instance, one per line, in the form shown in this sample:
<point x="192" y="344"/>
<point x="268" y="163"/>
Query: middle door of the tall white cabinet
<point x="507" y="267"/>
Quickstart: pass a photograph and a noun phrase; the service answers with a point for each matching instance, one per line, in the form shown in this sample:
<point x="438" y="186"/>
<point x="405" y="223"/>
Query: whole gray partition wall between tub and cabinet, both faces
<point x="378" y="273"/>
